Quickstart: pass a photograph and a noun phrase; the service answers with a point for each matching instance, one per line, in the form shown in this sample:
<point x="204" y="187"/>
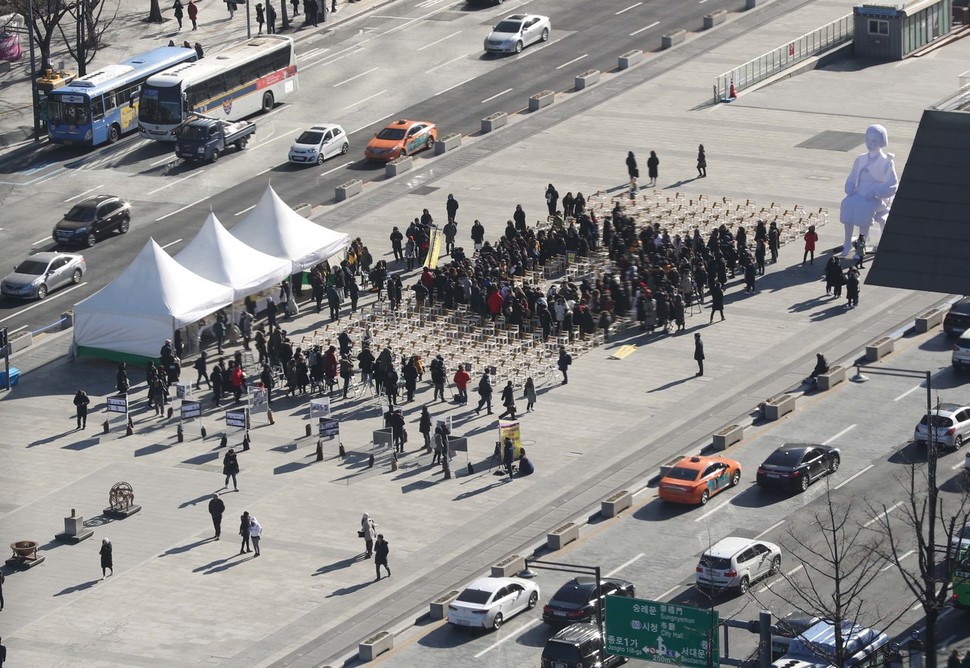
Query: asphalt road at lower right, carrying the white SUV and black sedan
<point x="656" y="545"/>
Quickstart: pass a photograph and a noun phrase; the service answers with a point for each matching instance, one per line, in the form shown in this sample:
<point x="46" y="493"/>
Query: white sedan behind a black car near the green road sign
<point x="487" y="602"/>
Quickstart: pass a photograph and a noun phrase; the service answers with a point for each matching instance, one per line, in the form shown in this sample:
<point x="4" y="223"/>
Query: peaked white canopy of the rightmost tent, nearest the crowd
<point x="276" y="229"/>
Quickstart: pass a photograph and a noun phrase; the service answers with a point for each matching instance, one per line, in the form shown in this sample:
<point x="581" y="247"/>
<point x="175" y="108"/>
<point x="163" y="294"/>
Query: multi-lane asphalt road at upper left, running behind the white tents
<point x="416" y="60"/>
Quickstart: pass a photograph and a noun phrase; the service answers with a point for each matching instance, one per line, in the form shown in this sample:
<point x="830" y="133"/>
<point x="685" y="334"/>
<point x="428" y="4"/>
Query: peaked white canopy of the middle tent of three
<point x="222" y="258"/>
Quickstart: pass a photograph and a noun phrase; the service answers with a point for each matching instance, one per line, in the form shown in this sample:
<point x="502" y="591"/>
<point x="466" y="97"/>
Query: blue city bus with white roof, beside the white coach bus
<point x="102" y="106"/>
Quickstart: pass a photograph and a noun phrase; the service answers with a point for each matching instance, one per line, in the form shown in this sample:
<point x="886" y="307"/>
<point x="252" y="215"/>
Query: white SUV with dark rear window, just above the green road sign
<point x="734" y="563"/>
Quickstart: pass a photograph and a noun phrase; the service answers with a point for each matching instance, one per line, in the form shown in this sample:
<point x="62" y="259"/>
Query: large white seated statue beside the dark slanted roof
<point x="870" y="188"/>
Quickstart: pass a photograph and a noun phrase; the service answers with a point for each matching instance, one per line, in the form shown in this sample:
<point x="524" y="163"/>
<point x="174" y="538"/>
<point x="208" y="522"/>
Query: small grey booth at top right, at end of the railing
<point x="894" y="31"/>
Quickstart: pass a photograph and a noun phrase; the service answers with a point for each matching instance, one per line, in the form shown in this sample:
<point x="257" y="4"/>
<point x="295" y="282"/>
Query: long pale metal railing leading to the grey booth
<point x="785" y="56"/>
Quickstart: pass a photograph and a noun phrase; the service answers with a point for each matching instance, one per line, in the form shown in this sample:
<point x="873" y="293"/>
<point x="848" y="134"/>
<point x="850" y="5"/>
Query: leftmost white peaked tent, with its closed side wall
<point x="143" y="306"/>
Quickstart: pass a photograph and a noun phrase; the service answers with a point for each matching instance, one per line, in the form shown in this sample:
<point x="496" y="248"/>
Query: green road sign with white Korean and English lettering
<point x="661" y="632"/>
